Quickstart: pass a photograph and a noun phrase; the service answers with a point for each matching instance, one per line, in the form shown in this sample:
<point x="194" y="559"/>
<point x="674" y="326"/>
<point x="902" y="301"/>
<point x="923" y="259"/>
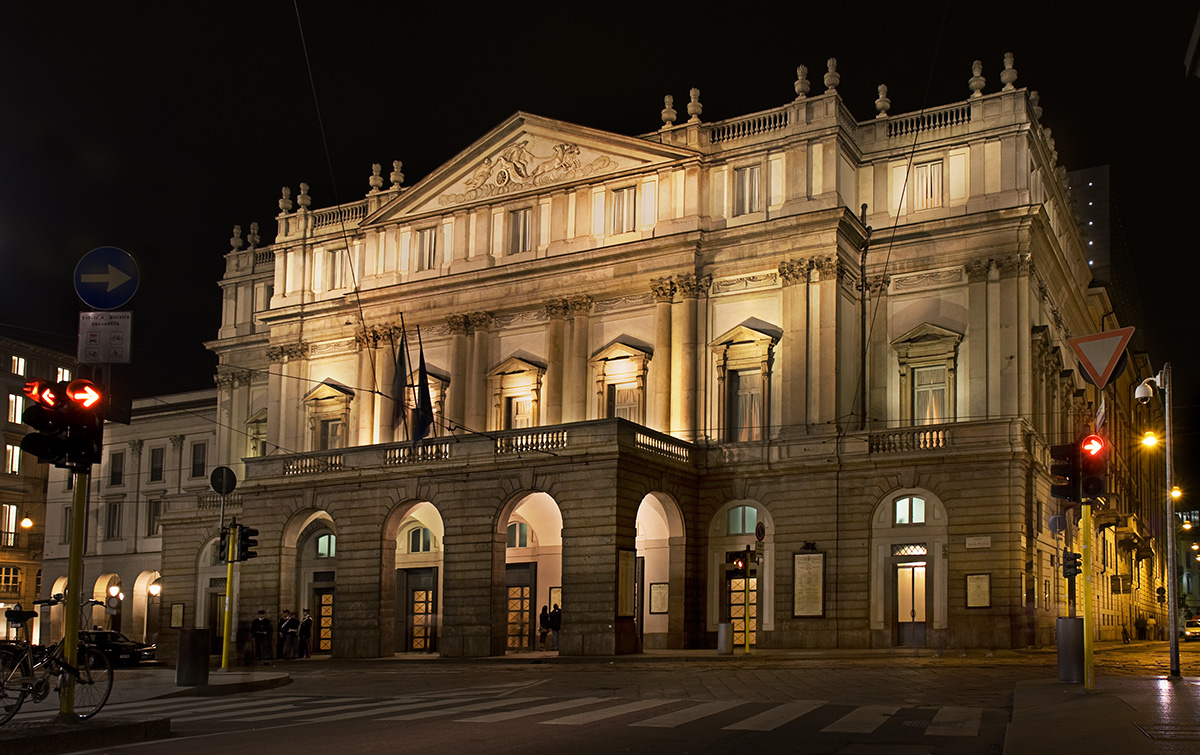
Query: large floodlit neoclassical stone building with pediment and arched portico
<point x="839" y="344"/>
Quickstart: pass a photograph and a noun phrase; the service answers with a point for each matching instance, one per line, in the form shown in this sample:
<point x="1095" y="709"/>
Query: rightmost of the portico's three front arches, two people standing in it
<point x="533" y="561"/>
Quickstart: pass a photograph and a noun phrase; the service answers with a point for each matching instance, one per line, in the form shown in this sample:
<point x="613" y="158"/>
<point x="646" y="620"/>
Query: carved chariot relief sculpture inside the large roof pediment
<point x="517" y="169"/>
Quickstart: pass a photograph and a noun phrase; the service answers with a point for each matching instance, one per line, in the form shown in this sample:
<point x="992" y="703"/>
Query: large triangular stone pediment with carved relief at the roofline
<point x="526" y="154"/>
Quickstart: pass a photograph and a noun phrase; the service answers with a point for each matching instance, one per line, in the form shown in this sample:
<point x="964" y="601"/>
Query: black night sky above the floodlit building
<point x="157" y="128"/>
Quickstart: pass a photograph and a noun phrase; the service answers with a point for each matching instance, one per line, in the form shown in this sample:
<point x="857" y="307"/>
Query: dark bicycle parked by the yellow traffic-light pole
<point x="27" y="670"/>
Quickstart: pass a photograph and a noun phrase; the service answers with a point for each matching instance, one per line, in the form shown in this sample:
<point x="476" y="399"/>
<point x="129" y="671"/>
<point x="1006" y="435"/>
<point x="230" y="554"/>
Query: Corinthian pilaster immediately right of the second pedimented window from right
<point x="795" y="346"/>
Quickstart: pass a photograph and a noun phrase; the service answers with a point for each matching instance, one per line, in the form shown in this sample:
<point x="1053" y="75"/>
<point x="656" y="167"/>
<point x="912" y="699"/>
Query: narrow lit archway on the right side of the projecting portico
<point x="659" y="573"/>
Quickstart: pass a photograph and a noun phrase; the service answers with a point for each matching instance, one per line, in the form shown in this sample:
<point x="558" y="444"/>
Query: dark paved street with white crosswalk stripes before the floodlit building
<point x="686" y="703"/>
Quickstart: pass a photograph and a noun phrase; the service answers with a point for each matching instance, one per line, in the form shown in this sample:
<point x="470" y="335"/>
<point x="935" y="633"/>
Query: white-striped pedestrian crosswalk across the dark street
<point x="482" y="708"/>
